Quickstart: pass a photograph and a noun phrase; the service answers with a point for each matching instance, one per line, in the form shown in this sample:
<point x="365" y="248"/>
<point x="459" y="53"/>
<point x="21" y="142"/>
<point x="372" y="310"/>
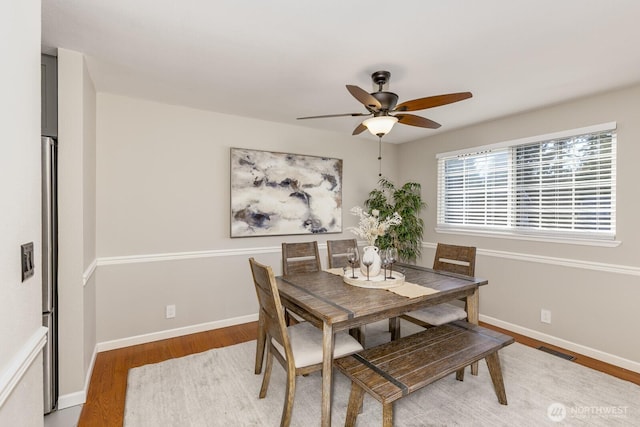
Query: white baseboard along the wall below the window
<point x="578" y="348"/>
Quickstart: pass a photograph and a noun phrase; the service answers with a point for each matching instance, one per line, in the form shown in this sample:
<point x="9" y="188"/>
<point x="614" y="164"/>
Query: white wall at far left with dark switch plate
<point x="21" y="335"/>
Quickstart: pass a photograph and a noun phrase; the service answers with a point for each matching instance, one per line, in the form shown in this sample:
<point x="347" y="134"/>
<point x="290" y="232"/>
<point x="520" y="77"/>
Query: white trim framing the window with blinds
<point x="522" y="234"/>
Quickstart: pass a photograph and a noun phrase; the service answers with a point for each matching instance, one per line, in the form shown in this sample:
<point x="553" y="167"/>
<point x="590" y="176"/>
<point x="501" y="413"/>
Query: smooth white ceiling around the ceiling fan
<point x="281" y="59"/>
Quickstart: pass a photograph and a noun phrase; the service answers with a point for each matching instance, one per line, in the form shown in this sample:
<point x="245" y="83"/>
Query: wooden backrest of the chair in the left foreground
<point x="271" y="309"/>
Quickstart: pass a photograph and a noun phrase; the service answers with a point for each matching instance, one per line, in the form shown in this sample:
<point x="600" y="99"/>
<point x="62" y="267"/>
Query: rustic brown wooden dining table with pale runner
<point x="325" y="300"/>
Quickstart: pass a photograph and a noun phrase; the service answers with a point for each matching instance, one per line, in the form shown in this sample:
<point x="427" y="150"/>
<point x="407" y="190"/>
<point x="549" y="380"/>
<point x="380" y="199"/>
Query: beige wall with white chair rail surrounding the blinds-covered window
<point x="592" y="292"/>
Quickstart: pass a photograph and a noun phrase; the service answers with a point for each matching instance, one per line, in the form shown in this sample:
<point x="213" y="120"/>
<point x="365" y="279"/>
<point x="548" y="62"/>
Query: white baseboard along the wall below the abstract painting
<point x="172" y="333"/>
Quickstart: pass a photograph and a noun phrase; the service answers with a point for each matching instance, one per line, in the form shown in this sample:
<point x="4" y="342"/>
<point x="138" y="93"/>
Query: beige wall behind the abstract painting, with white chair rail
<point x="163" y="211"/>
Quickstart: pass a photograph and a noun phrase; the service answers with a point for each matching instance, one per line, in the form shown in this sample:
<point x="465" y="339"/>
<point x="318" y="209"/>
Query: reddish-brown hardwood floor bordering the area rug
<point x="106" y="395"/>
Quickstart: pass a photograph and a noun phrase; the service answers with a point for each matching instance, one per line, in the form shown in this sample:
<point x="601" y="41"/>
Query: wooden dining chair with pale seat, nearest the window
<point x="453" y="259"/>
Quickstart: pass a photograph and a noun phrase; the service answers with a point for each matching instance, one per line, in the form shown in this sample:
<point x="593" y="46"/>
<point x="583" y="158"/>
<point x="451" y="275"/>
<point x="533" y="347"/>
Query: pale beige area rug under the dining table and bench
<point x="218" y="388"/>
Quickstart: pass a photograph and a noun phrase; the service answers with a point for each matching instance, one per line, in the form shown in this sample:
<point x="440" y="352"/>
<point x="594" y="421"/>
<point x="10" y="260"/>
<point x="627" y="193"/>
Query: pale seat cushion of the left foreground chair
<point x="306" y="344"/>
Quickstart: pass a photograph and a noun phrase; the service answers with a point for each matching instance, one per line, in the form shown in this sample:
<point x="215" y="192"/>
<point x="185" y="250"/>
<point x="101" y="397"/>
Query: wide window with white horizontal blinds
<point x="560" y="185"/>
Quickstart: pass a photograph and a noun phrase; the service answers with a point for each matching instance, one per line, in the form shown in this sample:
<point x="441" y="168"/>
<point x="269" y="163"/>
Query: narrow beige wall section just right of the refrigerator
<point x="76" y="224"/>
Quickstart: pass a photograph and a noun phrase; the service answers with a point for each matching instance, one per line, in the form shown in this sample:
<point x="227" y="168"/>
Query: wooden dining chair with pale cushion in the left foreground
<point x="298" y="348"/>
